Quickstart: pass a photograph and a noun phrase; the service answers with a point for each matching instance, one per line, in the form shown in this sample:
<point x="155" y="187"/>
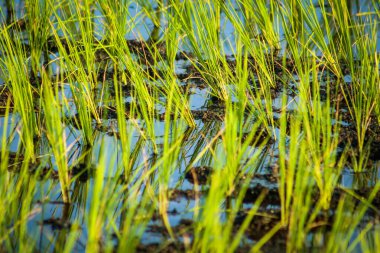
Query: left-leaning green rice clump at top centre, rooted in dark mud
<point x="211" y="62"/>
